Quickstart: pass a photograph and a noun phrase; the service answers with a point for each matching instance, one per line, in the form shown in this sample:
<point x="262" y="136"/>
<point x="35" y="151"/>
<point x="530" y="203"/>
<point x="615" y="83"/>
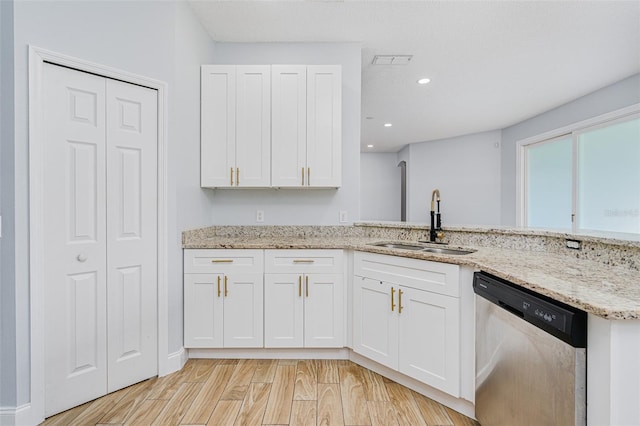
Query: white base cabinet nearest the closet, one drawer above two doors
<point x="223" y="298"/>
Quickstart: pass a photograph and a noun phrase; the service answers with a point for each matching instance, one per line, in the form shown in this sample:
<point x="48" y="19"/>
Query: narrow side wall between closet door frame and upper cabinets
<point x="189" y="205"/>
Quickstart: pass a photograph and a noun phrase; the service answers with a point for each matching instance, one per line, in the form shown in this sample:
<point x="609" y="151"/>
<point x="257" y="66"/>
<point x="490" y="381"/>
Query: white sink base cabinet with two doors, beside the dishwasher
<point x="407" y="317"/>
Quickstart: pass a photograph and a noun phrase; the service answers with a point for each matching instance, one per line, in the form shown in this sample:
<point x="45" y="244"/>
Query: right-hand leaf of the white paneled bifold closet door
<point x="131" y="232"/>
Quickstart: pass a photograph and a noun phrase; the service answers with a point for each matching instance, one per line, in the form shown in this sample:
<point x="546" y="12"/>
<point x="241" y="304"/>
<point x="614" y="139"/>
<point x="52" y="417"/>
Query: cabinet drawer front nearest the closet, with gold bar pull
<point x="203" y="261"/>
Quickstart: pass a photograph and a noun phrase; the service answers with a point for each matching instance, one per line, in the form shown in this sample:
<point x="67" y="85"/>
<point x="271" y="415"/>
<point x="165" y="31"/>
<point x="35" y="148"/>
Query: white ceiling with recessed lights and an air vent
<point x="492" y="63"/>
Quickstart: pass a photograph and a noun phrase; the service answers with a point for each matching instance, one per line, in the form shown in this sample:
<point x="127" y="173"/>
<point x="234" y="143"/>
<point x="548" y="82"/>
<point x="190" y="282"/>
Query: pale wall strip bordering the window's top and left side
<point x="610" y="98"/>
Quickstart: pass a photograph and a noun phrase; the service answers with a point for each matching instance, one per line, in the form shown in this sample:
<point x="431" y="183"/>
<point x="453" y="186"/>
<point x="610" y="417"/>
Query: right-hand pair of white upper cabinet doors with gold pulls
<point x="306" y="126"/>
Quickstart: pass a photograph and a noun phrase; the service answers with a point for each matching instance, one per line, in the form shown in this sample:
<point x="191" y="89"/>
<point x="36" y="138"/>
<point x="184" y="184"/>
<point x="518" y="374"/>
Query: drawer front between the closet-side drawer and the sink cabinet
<point x="303" y="261"/>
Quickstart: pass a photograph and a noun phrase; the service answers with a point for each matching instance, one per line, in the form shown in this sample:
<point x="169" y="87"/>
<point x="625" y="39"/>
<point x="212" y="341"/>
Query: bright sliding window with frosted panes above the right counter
<point x="584" y="180"/>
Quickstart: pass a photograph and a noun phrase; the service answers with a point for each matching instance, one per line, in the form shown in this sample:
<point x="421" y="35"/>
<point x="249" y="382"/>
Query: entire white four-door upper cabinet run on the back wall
<point x="271" y="126"/>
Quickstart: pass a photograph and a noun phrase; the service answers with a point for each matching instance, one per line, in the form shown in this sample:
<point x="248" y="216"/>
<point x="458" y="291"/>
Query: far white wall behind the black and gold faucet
<point x="466" y="170"/>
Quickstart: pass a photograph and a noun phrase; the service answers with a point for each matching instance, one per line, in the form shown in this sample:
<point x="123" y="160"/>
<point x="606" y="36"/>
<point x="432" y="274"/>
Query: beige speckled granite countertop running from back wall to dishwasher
<point x="611" y="292"/>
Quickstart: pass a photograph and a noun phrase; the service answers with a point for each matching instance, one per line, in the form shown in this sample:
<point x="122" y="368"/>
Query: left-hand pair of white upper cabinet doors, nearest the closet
<point x="235" y="126"/>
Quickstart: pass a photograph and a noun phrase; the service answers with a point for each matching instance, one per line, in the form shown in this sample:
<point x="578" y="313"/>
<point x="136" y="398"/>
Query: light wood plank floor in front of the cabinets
<point x="264" y="392"/>
